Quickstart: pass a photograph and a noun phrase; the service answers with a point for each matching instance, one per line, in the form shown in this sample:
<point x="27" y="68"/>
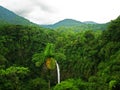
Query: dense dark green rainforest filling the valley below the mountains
<point x="88" y="60"/>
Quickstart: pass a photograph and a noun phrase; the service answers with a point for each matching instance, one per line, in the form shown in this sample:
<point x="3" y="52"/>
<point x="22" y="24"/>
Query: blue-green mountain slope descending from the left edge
<point x="7" y="16"/>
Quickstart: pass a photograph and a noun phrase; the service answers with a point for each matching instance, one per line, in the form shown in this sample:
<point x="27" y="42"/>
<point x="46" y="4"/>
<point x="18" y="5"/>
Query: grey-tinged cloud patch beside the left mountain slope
<point x="32" y="6"/>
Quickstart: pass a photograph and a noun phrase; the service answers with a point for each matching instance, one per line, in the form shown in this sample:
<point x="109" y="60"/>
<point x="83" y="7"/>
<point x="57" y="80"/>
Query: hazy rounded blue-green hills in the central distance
<point x="74" y="25"/>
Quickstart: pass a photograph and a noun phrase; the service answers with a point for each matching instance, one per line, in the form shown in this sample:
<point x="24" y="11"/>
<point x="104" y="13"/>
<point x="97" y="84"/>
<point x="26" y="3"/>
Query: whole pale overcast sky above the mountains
<point x="51" y="11"/>
